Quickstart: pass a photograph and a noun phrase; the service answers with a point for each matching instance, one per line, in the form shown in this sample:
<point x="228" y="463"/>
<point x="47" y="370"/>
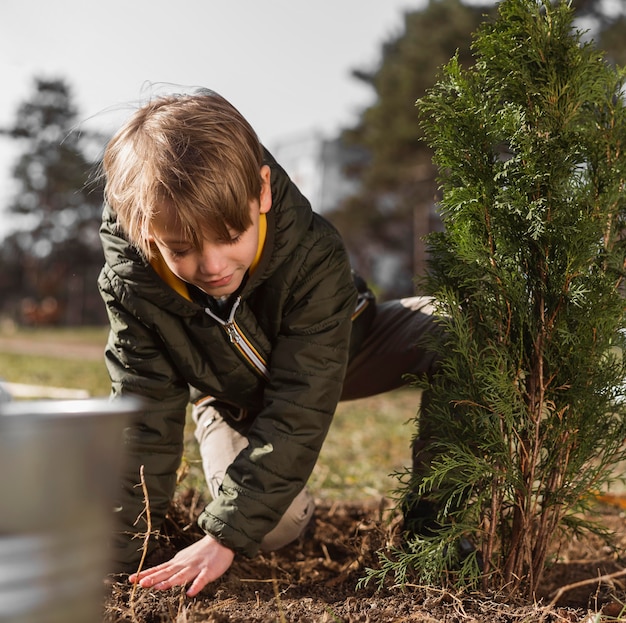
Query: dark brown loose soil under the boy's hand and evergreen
<point x="315" y="580"/>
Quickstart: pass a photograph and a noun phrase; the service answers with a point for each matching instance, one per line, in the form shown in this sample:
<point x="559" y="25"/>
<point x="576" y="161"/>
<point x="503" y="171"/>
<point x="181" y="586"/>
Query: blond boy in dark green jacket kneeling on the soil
<point x="225" y="289"/>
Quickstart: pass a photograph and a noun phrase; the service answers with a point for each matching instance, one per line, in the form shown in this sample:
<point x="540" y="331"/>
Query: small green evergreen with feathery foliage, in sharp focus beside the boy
<point x="528" y="406"/>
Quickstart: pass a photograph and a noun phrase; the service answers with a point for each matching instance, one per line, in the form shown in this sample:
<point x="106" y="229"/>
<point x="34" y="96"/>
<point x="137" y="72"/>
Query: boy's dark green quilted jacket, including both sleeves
<point x="295" y="310"/>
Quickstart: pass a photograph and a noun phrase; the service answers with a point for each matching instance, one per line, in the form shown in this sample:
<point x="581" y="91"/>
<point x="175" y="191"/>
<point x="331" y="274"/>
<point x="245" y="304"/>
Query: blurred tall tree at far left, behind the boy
<point x="50" y="260"/>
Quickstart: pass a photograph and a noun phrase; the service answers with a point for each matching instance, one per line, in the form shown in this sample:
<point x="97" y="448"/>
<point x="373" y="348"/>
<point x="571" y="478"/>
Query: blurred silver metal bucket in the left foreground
<point x="59" y="466"/>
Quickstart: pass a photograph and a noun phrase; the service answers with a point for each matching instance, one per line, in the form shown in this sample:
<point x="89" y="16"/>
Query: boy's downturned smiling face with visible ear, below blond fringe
<point x="220" y="266"/>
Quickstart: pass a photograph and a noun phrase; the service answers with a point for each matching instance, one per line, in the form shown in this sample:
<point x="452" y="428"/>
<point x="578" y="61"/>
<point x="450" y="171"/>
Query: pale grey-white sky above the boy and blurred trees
<point x="285" y="64"/>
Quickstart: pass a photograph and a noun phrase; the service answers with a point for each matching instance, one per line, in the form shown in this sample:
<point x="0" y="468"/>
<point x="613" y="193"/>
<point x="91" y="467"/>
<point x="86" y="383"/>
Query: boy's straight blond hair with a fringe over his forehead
<point x="194" y="154"/>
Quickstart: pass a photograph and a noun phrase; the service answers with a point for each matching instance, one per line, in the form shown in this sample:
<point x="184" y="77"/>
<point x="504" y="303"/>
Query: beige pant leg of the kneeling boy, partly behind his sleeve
<point x="219" y="445"/>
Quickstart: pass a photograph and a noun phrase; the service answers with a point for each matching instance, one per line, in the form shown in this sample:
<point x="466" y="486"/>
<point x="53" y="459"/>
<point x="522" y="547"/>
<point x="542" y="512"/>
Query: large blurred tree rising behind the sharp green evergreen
<point x="384" y="223"/>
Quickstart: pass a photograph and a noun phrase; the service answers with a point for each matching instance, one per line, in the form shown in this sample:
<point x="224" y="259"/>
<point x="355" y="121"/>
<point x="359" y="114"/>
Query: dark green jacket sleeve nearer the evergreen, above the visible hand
<point x="307" y="368"/>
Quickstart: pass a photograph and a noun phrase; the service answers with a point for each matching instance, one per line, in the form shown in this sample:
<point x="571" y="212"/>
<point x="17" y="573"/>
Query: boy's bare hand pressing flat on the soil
<point x="202" y="562"/>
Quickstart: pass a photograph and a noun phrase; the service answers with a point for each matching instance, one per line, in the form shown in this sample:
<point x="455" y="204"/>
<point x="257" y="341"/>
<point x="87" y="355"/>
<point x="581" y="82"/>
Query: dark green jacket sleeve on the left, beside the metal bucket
<point x="138" y="366"/>
